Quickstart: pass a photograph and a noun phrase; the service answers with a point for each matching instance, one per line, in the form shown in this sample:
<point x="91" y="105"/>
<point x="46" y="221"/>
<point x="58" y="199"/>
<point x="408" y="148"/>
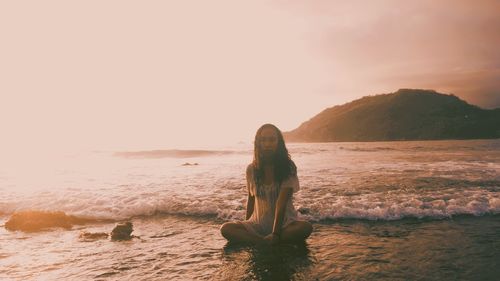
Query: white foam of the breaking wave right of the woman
<point x="476" y="203"/>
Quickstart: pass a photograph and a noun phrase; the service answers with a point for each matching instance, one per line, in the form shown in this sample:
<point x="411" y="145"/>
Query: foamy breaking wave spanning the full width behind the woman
<point x="373" y="206"/>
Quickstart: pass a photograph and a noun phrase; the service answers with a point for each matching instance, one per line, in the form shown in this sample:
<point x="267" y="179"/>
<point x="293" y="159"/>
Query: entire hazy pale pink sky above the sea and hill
<point x="158" y="74"/>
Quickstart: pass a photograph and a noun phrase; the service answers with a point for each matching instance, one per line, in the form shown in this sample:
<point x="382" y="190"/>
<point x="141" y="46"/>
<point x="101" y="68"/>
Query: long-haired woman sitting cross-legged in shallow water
<point x="271" y="181"/>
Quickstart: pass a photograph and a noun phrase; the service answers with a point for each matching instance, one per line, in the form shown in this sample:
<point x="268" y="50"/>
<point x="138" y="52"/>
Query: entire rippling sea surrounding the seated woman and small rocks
<point x="418" y="210"/>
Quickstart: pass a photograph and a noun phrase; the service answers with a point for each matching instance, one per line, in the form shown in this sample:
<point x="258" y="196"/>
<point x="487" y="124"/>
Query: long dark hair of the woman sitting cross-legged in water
<point x="283" y="164"/>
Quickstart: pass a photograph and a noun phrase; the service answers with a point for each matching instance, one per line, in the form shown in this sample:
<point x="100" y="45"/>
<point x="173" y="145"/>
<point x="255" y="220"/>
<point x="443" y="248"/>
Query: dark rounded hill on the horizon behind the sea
<point x="408" y="114"/>
